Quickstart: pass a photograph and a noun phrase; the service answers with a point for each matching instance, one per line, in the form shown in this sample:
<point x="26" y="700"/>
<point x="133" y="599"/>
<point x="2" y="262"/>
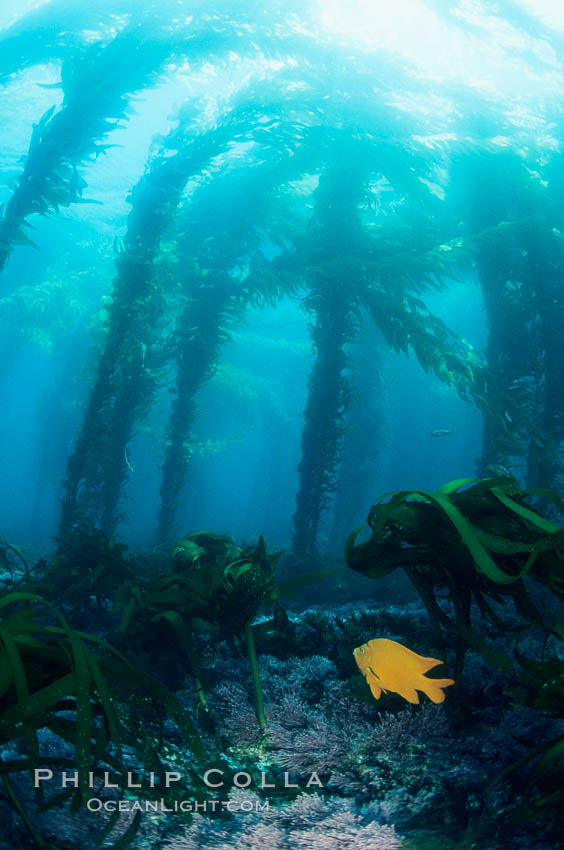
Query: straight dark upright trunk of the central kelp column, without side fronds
<point x="333" y="287"/>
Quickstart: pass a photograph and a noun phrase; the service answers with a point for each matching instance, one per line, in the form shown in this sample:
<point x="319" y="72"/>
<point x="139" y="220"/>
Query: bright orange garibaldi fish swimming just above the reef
<point x="389" y="666"/>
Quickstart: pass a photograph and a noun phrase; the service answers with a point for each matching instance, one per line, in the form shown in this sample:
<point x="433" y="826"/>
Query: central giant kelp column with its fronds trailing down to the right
<point x="348" y="259"/>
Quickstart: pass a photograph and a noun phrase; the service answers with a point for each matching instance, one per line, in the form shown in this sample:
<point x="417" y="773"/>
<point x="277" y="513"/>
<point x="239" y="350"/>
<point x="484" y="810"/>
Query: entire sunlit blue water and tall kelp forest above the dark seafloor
<point x="221" y="222"/>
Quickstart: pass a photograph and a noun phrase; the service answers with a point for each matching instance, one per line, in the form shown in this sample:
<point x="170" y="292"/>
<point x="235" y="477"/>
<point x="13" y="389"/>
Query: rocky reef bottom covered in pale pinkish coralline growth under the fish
<point x="341" y="769"/>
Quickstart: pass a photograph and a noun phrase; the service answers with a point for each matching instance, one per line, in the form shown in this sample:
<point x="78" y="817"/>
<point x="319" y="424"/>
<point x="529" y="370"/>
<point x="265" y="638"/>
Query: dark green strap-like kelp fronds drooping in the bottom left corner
<point x="46" y="668"/>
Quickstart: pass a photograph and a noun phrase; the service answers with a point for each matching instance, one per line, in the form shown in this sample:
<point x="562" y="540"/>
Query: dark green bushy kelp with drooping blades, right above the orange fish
<point x="477" y="540"/>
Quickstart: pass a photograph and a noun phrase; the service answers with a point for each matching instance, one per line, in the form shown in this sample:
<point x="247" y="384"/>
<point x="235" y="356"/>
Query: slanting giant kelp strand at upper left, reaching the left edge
<point x="97" y="84"/>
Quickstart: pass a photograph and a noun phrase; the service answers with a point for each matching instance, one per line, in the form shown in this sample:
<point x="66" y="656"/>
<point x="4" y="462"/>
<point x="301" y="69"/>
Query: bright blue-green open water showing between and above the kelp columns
<point x="451" y="62"/>
